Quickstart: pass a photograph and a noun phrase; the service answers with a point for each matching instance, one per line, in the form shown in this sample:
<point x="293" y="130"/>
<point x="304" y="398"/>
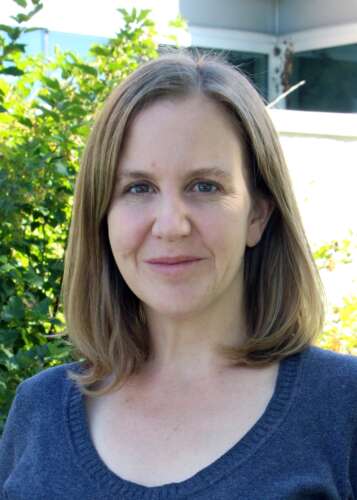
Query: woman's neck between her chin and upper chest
<point x="187" y="347"/>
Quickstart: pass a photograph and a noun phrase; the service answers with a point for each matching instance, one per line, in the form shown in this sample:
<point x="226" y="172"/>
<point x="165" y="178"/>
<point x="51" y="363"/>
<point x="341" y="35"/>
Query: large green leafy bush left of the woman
<point x="47" y="108"/>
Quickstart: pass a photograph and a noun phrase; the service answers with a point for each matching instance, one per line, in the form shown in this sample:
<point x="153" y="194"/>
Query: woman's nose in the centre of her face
<point x="171" y="219"/>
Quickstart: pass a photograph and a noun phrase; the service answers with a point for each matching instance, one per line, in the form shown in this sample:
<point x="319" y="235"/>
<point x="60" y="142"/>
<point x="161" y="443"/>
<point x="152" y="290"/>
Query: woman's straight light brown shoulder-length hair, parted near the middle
<point x="283" y="295"/>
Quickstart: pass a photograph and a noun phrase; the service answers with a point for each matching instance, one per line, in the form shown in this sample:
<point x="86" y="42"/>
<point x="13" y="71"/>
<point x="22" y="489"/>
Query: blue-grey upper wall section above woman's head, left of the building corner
<point x="252" y="15"/>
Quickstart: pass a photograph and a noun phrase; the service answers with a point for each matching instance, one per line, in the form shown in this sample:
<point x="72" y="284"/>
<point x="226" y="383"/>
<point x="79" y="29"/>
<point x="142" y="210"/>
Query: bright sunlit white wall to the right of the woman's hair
<point x="321" y="153"/>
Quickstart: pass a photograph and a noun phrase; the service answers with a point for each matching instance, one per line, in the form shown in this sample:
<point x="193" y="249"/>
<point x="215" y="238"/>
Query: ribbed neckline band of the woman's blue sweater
<point x="89" y="459"/>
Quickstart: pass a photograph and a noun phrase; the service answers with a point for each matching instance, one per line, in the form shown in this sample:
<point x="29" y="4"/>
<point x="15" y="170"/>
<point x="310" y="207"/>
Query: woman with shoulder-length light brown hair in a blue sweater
<point x="191" y="295"/>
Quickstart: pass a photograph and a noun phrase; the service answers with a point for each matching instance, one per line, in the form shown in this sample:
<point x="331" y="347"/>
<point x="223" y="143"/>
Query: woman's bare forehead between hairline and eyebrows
<point x="190" y="125"/>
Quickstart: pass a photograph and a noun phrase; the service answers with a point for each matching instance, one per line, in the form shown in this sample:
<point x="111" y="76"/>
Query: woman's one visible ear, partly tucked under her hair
<point x="259" y="216"/>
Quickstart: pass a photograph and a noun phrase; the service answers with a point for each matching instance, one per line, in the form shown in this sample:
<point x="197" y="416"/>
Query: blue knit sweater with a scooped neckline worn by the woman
<point x="303" y="447"/>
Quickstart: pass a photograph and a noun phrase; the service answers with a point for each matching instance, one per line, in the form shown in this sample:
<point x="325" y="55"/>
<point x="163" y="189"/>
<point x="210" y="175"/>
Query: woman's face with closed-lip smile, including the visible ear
<point x="181" y="191"/>
